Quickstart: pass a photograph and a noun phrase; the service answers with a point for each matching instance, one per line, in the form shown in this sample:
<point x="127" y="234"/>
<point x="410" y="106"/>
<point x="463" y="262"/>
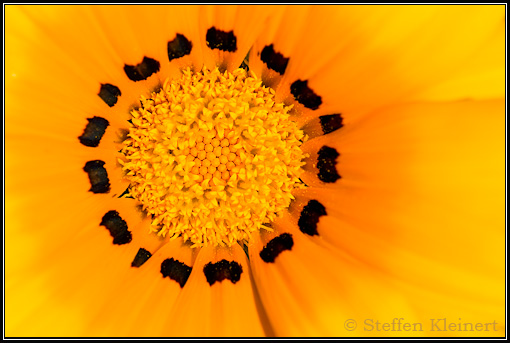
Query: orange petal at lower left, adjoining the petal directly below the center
<point x="141" y="306"/>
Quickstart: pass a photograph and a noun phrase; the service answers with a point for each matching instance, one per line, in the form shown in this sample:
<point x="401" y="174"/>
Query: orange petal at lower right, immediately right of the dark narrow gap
<point x="308" y="291"/>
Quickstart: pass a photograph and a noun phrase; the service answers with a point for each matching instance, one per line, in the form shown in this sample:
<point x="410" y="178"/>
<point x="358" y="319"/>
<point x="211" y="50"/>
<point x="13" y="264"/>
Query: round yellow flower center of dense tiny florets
<point x="212" y="157"/>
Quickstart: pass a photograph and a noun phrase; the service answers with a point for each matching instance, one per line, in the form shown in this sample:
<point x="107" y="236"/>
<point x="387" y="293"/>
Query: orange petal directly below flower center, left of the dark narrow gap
<point x="223" y="308"/>
